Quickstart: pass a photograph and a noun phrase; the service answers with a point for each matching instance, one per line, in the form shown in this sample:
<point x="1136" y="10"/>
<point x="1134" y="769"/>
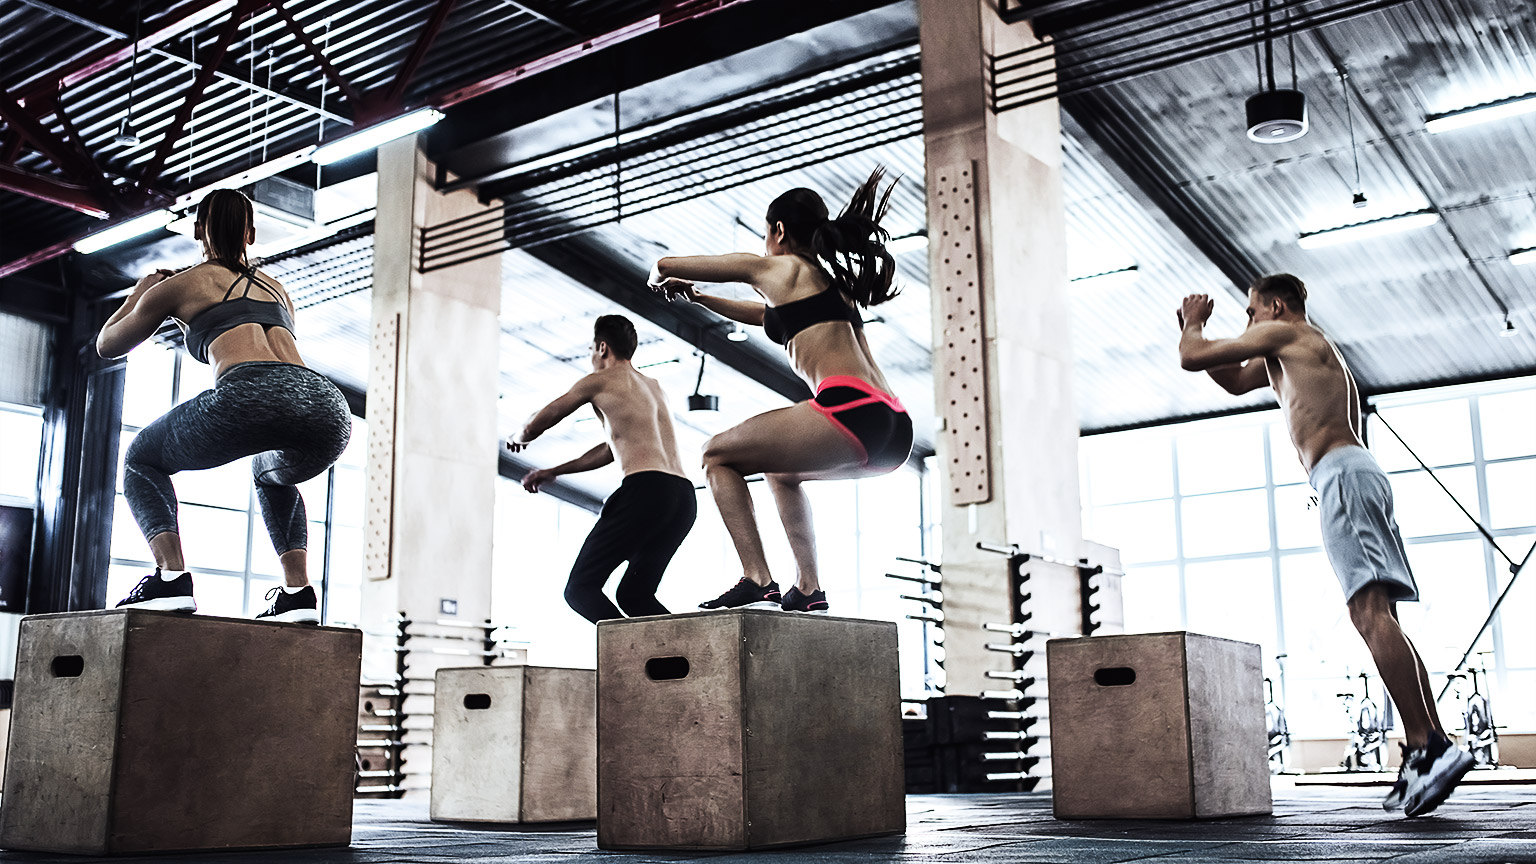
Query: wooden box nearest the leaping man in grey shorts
<point x="1157" y="726"/>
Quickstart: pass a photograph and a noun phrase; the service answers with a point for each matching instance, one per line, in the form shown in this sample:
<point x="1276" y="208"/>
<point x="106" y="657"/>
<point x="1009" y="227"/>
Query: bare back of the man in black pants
<point x="634" y="410"/>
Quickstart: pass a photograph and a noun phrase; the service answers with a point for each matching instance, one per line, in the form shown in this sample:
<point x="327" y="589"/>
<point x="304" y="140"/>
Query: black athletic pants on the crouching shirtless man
<point x="643" y="523"/>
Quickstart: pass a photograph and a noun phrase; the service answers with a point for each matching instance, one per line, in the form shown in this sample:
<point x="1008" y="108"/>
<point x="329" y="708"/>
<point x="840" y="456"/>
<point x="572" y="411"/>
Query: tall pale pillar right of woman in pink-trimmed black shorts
<point x="1002" y="342"/>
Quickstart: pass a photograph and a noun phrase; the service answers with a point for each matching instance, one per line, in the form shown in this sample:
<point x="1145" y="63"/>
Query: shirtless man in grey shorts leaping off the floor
<point x="1283" y="351"/>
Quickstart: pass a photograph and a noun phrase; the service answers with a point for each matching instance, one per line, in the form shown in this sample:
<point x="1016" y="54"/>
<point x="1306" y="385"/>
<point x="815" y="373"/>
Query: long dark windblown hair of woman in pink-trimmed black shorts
<point x="850" y="248"/>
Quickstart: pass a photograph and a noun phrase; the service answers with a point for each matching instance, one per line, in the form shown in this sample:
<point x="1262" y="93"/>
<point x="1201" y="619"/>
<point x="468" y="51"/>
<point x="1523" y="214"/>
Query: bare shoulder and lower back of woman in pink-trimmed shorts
<point x="821" y="351"/>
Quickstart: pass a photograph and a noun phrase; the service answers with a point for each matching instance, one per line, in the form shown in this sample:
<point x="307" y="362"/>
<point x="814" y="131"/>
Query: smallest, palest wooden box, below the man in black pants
<point x="515" y="745"/>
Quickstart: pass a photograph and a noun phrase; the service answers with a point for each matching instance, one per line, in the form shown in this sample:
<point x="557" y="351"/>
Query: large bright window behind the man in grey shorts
<point x="1219" y="533"/>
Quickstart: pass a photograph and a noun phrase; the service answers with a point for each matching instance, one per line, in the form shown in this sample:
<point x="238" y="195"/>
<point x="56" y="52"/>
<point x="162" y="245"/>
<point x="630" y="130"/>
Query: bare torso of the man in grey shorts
<point x="1317" y="393"/>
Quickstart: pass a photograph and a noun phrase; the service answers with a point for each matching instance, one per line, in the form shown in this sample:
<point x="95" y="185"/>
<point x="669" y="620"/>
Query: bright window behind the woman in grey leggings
<point x="223" y="537"/>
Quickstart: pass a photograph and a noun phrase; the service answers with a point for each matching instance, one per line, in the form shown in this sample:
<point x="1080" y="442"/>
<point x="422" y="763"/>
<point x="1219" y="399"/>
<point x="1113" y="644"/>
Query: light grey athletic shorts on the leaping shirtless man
<point x="1359" y="530"/>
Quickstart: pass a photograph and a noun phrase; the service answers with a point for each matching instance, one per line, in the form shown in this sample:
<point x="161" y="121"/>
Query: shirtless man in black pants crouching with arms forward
<point x="647" y="519"/>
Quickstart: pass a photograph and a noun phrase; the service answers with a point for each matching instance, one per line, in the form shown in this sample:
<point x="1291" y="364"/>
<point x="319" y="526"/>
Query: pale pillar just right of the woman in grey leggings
<point x="432" y="434"/>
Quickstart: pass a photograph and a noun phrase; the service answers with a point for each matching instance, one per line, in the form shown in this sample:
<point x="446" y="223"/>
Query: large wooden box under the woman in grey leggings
<point x="167" y="733"/>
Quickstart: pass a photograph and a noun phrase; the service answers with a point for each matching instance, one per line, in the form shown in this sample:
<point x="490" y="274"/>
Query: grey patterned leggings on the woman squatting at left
<point x="291" y="419"/>
